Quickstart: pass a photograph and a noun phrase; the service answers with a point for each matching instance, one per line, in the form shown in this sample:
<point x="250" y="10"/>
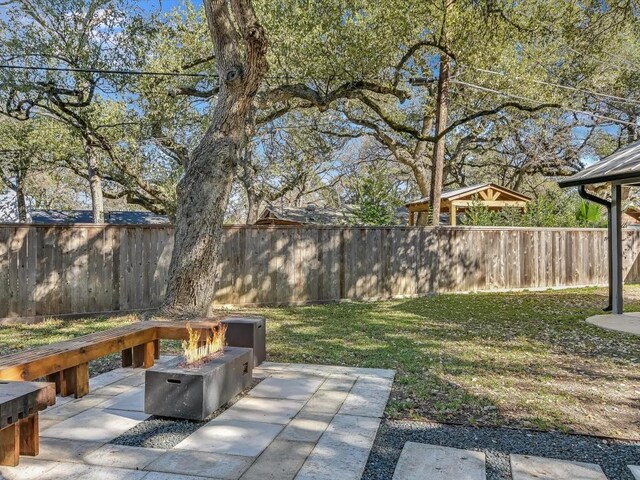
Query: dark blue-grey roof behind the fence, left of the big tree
<point x="86" y="216"/>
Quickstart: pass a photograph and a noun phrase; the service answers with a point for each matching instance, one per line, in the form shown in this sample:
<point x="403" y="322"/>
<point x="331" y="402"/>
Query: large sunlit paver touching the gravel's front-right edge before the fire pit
<point x="234" y="437"/>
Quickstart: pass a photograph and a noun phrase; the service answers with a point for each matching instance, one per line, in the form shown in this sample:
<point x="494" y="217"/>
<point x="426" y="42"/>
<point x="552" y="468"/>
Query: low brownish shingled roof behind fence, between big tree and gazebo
<point x="309" y="215"/>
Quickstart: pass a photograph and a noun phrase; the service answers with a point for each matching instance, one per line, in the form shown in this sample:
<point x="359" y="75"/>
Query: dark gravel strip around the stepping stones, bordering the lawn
<point x="497" y="443"/>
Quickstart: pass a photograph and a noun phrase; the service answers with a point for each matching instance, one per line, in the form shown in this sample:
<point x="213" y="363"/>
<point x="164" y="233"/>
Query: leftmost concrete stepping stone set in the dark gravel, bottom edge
<point x="419" y="461"/>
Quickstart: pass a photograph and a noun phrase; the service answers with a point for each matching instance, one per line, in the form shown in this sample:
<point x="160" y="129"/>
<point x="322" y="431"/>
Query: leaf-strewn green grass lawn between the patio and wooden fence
<point x="513" y="359"/>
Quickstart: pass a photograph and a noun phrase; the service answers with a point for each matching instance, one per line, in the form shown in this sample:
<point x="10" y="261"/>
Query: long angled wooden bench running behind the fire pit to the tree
<point x="67" y="363"/>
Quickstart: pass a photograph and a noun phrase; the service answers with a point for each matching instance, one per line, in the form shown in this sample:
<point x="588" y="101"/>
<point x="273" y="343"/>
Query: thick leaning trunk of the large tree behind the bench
<point x="240" y="47"/>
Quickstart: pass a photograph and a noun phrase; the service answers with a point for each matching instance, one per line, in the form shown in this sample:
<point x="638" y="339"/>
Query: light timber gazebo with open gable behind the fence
<point x="490" y="195"/>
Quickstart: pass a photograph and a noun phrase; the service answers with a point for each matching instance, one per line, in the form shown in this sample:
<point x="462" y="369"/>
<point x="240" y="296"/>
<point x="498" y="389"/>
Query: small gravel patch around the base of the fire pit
<point x="161" y="432"/>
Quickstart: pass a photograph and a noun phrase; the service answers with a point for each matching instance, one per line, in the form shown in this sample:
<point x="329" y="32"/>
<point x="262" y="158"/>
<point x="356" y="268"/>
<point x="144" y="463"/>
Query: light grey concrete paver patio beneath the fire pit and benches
<point x="304" y="422"/>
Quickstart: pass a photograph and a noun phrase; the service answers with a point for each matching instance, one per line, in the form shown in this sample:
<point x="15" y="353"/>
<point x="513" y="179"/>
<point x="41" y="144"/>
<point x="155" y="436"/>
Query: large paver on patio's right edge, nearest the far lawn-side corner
<point x="368" y="397"/>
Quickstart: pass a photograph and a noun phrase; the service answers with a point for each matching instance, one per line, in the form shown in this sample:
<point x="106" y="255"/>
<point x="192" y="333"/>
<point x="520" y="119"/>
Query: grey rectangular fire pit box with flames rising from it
<point x="194" y="393"/>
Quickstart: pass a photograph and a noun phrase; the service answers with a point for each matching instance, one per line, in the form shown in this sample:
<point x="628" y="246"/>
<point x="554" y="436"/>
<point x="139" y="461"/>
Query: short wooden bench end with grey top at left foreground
<point x="20" y="403"/>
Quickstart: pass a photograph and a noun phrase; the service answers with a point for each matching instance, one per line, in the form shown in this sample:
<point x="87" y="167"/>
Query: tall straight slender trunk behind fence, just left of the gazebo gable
<point x="439" y="148"/>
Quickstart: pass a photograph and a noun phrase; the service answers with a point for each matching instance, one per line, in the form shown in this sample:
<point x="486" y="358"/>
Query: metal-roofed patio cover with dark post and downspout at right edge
<point x="620" y="168"/>
